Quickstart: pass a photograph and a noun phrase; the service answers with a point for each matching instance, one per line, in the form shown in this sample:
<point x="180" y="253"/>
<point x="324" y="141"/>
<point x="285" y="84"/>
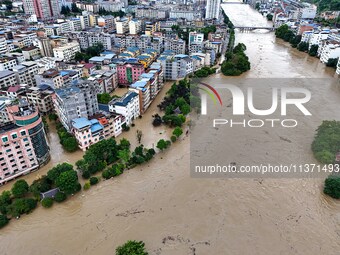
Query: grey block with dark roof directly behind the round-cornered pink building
<point x="42" y="98"/>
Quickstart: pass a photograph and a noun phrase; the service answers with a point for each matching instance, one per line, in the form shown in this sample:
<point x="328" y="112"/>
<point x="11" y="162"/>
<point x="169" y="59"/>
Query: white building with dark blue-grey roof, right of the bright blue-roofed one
<point x="127" y="106"/>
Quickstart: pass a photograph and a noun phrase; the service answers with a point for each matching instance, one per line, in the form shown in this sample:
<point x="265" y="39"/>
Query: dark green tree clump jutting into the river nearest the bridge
<point x="237" y="62"/>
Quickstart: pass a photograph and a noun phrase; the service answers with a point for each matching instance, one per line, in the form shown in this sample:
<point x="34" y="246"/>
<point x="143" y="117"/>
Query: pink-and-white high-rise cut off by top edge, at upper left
<point x="43" y="9"/>
